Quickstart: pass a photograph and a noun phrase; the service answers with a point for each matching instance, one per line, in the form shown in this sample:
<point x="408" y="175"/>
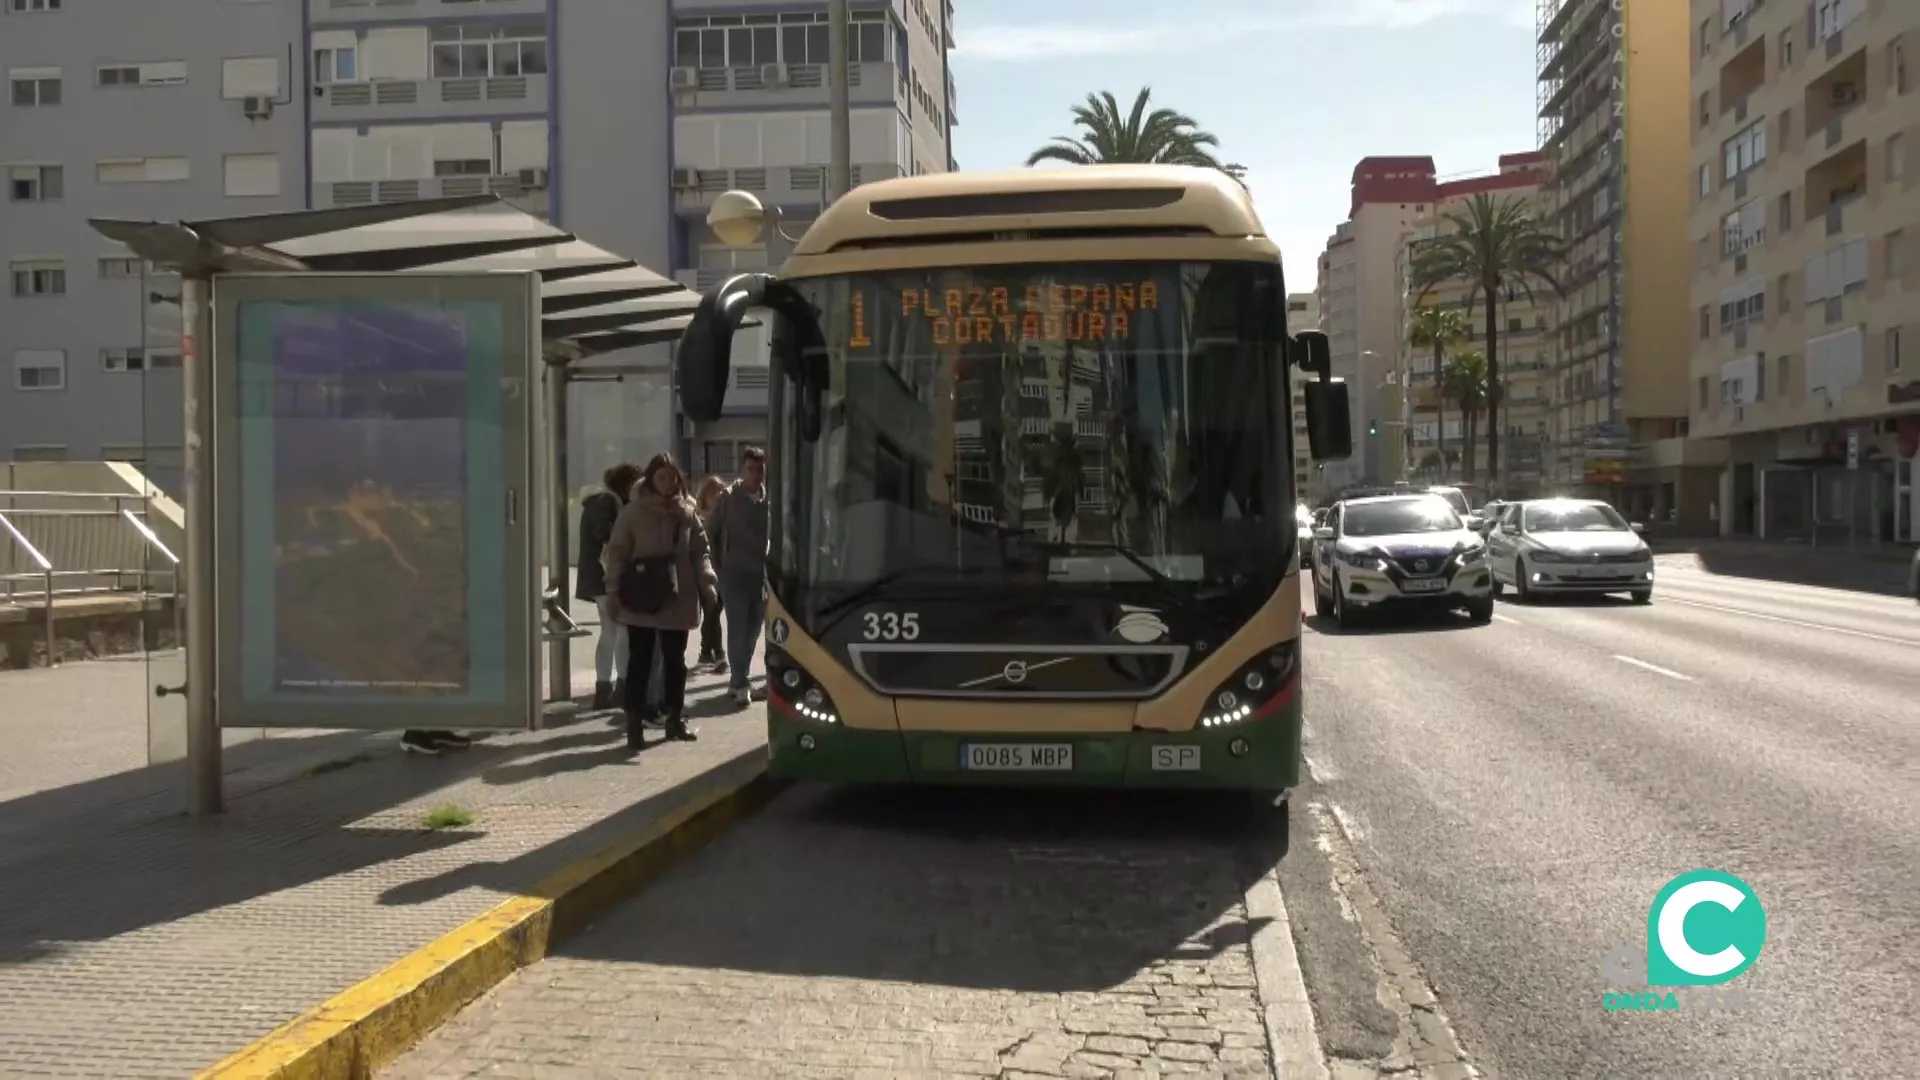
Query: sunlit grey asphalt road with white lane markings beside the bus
<point x="1516" y="797"/>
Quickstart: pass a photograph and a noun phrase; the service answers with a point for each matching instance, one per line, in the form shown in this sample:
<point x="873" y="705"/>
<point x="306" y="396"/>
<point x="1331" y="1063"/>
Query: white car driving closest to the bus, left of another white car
<point x="1399" y="552"/>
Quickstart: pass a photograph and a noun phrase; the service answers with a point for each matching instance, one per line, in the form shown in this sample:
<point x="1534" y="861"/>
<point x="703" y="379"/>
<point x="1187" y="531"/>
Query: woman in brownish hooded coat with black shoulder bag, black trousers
<point x="656" y="524"/>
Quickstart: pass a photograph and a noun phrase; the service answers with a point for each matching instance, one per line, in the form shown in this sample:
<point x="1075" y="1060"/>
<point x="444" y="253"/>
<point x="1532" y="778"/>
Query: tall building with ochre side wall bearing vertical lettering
<point x="1614" y="116"/>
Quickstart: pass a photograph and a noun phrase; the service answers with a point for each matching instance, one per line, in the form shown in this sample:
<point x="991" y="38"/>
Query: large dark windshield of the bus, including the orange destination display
<point x="1097" y="424"/>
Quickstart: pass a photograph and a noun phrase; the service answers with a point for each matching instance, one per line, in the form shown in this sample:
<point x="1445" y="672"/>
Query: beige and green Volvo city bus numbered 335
<point x="1030" y="466"/>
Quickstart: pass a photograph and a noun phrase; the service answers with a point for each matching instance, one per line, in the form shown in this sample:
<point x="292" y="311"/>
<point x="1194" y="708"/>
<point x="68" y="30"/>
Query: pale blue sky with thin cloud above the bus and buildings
<point x="1299" y="91"/>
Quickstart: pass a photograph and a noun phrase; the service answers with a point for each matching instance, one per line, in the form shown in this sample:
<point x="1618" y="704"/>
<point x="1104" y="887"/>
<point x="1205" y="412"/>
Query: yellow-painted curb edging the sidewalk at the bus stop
<point x="373" y="1023"/>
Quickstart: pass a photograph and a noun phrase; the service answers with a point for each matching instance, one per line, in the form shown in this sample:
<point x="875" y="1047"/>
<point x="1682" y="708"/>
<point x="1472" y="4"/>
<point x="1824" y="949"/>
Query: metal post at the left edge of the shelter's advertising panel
<point x="203" y="520"/>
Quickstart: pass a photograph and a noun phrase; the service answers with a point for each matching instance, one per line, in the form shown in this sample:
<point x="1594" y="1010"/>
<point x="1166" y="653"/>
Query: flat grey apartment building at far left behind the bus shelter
<point x="126" y="114"/>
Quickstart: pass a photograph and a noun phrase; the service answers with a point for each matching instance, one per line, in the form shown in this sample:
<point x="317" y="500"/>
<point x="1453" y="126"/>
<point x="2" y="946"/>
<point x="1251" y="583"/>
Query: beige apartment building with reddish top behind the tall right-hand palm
<point x="1524" y="326"/>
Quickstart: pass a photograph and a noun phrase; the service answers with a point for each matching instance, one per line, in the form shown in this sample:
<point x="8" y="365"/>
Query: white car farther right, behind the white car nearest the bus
<point x="1543" y="547"/>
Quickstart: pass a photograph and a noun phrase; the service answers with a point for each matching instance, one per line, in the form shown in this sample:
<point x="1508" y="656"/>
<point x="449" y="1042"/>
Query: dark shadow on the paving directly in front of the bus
<point x="1044" y="893"/>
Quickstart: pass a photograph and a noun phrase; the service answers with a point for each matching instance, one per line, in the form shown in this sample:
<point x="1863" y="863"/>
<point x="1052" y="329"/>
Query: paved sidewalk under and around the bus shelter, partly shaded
<point x="141" y="943"/>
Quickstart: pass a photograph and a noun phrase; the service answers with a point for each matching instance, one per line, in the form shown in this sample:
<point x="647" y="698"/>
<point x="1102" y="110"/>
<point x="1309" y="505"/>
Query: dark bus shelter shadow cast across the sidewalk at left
<point x="105" y="858"/>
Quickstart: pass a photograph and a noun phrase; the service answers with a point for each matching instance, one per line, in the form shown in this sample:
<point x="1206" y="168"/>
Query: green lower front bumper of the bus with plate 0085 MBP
<point x="1260" y="756"/>
